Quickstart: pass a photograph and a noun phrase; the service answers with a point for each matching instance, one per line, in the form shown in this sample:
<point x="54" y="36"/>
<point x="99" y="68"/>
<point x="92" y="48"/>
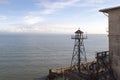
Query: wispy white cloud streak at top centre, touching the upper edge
<point x="51" y="7"/>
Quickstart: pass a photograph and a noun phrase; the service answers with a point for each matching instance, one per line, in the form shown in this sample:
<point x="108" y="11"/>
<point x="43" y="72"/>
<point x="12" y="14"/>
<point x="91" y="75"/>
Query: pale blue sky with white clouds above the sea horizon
<point x="54" y="16"/>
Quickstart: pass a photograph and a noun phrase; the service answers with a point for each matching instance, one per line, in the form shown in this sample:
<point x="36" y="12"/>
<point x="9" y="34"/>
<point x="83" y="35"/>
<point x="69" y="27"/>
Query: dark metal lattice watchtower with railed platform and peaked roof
<point x="79" y="54"/>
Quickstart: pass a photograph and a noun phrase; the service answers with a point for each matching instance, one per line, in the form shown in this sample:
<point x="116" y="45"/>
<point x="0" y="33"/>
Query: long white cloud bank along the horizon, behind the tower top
<point x="50" y="28"/>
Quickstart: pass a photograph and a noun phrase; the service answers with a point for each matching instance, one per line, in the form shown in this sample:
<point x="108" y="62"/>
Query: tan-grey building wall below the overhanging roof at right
<point x="114" y="41"/>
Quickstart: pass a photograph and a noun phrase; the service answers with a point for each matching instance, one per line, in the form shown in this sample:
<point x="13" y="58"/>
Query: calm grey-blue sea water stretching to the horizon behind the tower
<point x="30" y="56"/>
